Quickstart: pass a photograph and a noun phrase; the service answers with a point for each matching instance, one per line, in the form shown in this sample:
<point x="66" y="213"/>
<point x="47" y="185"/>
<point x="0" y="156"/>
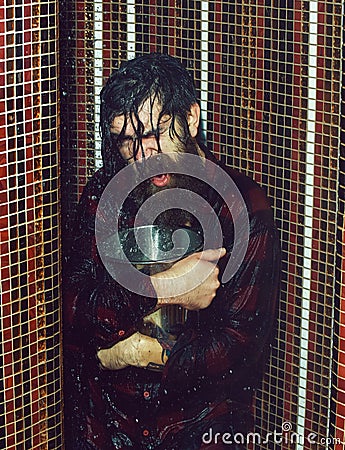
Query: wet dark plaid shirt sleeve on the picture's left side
<point x="98" y="311"/>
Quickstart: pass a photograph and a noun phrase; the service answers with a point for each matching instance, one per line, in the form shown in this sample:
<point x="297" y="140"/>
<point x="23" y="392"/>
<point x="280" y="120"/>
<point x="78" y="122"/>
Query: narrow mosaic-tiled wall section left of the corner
<point x="30" y="330"/>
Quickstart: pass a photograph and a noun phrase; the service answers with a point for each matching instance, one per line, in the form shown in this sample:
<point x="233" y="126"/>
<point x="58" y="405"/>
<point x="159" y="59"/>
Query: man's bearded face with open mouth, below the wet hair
<point x="154" y="138"/>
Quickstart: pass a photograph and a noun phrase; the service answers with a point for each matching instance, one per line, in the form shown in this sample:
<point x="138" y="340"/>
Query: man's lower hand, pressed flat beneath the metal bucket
<point x="138" y="350"/>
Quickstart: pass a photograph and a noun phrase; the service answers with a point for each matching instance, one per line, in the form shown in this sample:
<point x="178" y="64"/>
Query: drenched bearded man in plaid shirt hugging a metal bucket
<point x="204" y="393"/>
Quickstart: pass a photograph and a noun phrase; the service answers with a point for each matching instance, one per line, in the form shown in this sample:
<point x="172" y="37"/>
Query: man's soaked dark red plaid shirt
<point x="215" y="366"/>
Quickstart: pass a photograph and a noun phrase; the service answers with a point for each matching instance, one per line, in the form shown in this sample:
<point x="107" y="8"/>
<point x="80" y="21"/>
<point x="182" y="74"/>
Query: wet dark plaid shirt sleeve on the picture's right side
<point x="226" y="341"/>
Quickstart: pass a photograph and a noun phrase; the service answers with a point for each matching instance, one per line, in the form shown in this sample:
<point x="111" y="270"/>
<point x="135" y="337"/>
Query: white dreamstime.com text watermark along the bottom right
<point x="285" y="435"/>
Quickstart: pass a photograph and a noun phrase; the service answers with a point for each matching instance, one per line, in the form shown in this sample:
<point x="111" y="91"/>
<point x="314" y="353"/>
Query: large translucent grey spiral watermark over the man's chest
<point x="123" y="183"/>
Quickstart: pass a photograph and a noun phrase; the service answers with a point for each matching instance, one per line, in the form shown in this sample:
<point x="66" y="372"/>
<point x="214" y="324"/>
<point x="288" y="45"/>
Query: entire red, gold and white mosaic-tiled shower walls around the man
<point x="271" y="81"/>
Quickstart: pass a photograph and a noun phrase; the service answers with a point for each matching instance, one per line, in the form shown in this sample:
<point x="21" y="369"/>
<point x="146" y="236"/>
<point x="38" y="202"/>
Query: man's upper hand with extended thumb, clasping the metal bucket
<point x="191" y="282"/>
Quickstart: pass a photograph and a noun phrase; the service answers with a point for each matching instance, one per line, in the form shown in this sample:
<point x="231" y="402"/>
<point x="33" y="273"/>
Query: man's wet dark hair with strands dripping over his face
<point x="155" y="76"/>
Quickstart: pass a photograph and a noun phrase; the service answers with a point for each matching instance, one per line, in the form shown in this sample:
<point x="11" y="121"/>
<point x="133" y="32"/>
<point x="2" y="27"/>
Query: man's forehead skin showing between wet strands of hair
<point x="148" y="115"/>
